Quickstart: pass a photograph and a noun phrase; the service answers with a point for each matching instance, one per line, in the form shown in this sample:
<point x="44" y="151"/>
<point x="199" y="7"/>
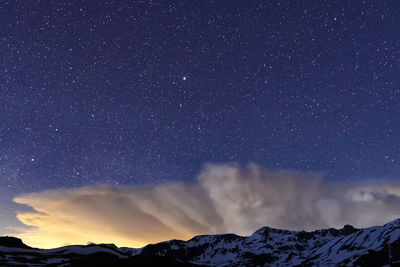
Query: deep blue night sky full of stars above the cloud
<point x="147" y="92"/>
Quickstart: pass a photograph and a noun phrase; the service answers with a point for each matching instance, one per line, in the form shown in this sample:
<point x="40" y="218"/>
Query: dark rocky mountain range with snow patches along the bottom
<point x="373" y="246"/>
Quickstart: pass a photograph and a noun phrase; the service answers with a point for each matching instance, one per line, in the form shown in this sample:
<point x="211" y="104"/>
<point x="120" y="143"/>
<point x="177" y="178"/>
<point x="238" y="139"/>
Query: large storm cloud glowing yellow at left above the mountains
<point x="225" y="198"/>
